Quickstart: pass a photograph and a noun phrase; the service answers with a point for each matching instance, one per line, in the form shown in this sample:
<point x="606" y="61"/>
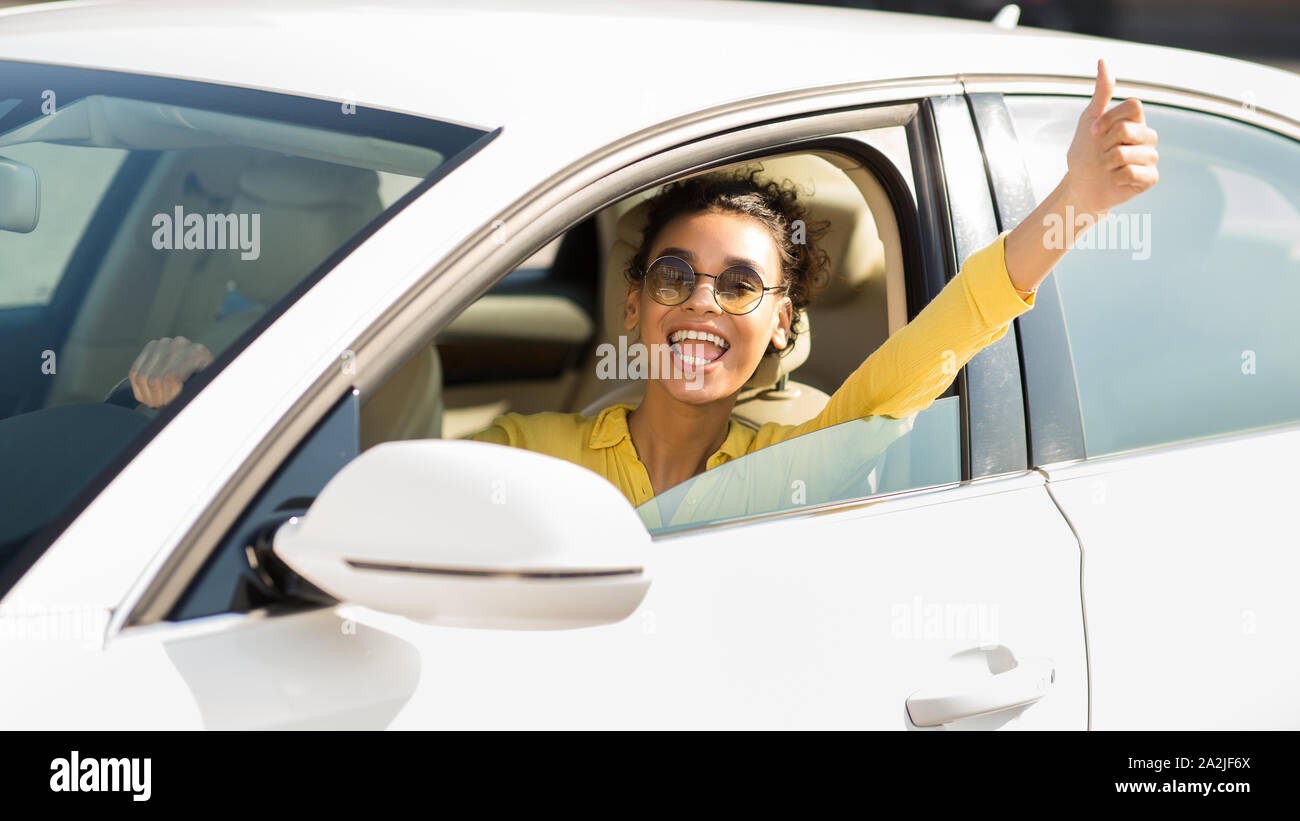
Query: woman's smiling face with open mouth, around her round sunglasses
<point x="712" y="242"/>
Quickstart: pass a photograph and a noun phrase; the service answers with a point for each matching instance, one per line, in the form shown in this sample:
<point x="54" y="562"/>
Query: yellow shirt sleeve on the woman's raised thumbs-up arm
<point x="917" y="364"/>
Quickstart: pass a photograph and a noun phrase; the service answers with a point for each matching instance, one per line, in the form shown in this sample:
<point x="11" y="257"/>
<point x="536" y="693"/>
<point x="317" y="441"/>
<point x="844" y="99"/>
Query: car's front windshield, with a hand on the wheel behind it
<point x="137" y="210"/>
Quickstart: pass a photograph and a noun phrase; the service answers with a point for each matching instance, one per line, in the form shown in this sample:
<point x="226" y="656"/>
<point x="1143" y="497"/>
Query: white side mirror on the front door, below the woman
<point x="473" y="535"/>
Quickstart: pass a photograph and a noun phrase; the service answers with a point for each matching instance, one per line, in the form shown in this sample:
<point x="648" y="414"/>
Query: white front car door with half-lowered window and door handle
<point x="959" y="589"/>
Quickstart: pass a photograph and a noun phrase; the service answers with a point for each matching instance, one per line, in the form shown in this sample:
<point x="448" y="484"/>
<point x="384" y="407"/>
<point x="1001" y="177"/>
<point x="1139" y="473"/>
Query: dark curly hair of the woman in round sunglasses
<point x="805" y="266"/>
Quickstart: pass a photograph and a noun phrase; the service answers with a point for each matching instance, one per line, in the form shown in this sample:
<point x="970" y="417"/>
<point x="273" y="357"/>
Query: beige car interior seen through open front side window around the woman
<point x="530" y="345"/>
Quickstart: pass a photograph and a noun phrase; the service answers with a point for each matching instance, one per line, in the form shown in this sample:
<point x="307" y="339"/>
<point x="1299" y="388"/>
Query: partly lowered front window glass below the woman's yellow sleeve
<point x="864" y="458"/>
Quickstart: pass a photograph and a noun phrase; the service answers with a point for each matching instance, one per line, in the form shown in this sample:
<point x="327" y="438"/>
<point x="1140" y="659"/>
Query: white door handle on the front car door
<point x="1025" y="683"/>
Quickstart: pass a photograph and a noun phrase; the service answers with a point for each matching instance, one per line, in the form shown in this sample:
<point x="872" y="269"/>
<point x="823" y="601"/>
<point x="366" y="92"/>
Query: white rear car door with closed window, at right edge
<point x="1163" y="380"/>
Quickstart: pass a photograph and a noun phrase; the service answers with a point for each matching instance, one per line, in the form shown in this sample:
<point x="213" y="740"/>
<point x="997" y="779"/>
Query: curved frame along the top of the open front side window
<point x="696" y="142"/>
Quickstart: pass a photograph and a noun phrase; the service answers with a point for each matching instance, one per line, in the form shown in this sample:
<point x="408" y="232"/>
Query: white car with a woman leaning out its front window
<point x="392" y="224"/>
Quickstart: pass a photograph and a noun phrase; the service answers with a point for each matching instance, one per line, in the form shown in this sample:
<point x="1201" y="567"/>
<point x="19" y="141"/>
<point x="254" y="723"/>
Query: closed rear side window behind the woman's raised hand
<point x="1180" y="307"/>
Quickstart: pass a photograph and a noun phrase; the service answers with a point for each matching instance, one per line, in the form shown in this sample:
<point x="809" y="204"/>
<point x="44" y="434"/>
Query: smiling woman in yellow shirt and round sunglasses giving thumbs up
<point x="751" y="242"/>
